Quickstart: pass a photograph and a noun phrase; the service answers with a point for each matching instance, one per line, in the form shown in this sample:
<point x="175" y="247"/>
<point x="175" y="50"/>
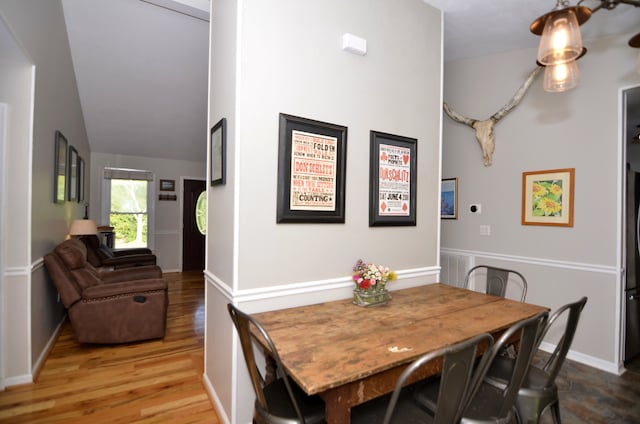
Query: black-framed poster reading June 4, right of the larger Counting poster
<point x="393" y="180"/>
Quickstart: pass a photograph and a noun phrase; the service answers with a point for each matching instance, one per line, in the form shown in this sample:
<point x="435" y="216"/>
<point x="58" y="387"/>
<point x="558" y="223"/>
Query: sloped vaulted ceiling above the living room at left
<point x="142" y="74"/>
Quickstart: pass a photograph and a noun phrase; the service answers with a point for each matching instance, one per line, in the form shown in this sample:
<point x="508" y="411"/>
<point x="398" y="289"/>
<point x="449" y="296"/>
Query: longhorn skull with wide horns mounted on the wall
<point x="484" y="129"/>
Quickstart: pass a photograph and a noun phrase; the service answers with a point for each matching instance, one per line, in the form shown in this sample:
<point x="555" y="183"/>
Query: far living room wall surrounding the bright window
<point x="167" y="231"/>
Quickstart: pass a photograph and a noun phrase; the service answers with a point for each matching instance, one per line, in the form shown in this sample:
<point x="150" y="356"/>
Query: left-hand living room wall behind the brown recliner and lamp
<point x="41" y="102"/>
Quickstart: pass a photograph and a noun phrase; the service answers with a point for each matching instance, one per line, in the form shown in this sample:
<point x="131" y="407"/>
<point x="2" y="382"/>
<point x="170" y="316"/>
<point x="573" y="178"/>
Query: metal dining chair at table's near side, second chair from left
<point x="457" y="376"/>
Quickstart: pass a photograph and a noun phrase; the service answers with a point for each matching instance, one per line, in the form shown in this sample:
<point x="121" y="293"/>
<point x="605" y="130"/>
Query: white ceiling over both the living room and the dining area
<point x="142" y="70"/>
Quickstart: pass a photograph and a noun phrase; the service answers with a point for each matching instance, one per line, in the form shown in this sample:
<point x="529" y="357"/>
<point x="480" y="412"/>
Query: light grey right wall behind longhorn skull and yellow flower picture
<point x="578" y="129"/>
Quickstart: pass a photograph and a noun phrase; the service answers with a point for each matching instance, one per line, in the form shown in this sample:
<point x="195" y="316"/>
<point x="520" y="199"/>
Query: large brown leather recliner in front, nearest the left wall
<point x="108" y="307"/>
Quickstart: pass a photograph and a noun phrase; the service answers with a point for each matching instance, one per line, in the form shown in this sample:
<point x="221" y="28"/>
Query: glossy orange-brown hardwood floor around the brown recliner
<point x="155" y="381"/>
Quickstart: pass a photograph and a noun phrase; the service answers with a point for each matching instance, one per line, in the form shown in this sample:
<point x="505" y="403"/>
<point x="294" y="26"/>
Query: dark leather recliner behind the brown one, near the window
<point x="101" y="255"/>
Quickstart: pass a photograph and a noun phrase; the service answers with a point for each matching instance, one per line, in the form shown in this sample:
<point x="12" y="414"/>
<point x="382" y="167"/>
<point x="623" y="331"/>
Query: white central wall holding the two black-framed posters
<point x="285" y="56"/>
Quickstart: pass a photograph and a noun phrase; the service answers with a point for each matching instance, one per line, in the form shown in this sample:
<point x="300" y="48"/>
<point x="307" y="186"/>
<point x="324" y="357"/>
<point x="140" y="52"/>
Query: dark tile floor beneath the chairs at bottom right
<point x="588" y="395"/>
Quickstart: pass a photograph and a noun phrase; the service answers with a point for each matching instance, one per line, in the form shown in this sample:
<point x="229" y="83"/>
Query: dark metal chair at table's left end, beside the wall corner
<point x="281" y="401"/>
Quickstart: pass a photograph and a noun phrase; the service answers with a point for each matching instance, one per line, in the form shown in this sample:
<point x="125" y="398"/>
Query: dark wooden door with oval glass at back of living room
<point x="193" y="240"/>
